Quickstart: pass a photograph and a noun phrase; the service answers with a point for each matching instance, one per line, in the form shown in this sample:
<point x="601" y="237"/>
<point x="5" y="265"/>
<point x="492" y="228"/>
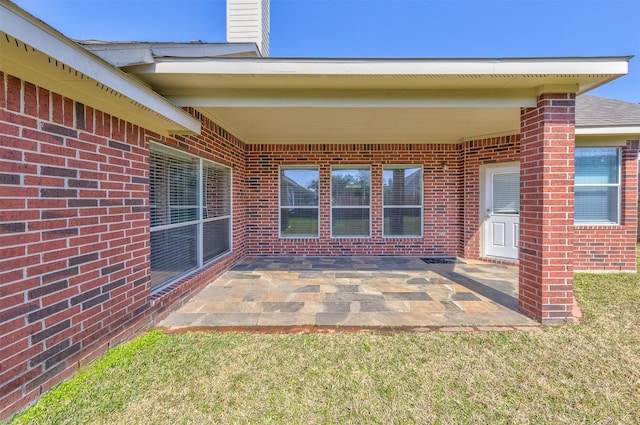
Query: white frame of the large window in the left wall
<point x="200" y="207"/>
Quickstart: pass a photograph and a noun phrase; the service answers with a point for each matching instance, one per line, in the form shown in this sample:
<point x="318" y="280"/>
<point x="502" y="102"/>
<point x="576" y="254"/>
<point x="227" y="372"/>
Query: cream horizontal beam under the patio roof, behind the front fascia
<point x="265" y="98"/>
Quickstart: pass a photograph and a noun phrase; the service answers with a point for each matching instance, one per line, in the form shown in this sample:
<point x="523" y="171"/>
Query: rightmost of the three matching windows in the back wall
<point x="402" y="199"/>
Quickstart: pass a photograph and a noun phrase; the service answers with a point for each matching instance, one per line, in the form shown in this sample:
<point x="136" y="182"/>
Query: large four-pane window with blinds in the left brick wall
<point x="190" y="208"/>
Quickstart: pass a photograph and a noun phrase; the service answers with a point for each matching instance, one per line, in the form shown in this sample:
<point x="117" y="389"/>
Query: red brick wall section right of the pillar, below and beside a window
<point x="613" y="248"/>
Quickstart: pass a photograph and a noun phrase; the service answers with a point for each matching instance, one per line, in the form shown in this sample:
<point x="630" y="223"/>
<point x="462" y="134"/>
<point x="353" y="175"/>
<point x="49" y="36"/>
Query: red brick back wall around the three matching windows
<point x="442" y="198"/>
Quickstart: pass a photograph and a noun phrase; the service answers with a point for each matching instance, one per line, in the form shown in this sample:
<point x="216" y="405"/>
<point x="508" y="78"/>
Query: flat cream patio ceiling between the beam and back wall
<point x="364" y="125"/>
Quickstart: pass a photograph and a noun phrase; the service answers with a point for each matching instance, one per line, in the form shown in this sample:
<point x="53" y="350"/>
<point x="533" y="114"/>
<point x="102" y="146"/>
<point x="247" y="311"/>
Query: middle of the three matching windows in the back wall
<point x="350" y="202"/>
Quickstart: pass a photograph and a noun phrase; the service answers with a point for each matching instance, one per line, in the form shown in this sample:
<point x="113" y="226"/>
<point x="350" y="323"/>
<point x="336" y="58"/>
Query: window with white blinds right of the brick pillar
<point x="597" y="185"/>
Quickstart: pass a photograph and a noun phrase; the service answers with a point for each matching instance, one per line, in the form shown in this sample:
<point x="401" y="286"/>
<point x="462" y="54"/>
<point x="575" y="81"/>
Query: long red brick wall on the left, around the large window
<point x="74" y="232"/>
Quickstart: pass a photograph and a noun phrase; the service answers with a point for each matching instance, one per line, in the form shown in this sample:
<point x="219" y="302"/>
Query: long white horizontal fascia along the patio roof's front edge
<point x="266" y="66"/>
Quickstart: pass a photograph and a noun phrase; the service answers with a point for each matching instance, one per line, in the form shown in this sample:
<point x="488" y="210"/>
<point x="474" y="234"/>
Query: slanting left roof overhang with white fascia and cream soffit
<point x="39" y="54"/>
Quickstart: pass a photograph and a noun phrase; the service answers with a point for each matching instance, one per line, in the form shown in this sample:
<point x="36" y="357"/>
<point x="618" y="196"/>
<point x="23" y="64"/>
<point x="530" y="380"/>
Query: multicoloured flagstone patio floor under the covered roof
<point x="356" y="291"/>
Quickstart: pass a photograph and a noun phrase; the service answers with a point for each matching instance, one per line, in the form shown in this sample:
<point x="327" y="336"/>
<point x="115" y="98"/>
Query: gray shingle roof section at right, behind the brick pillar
<point x="594" y="111"/>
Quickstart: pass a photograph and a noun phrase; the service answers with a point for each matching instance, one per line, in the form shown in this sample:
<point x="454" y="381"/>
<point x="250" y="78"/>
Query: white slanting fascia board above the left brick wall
<point x="17" y="23"/>
